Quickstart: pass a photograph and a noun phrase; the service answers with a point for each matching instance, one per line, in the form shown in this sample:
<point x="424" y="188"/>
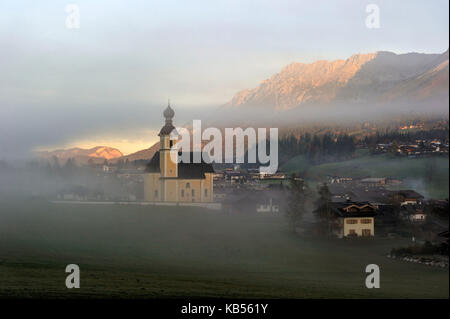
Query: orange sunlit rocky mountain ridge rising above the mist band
<point x="376" y="77"/>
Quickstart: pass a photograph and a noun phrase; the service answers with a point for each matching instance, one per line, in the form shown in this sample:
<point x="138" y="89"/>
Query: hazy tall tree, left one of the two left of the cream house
<point x="296" y="201"/>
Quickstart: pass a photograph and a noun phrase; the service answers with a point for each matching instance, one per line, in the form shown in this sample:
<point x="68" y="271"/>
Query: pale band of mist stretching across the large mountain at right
<point x="341" y="114"/>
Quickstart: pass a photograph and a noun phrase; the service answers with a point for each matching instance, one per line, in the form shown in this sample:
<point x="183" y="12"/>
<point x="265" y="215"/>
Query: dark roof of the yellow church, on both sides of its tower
<point x="185" y="170"/>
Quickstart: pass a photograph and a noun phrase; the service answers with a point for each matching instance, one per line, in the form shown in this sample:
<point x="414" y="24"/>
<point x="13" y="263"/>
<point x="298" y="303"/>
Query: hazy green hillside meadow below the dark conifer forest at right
<point x="415" y="172"/>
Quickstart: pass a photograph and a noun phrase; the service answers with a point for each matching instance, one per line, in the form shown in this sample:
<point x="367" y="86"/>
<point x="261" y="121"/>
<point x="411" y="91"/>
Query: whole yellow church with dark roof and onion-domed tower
<point x="166" y="180"/>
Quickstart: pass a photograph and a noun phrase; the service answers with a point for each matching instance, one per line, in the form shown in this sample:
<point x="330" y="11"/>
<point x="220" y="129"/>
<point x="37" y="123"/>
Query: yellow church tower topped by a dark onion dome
<point x="168" y="166"/>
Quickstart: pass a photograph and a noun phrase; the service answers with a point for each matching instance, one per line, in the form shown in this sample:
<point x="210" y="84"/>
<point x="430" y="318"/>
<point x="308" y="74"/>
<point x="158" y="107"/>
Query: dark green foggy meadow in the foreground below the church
<point x="147" y="252"/>
